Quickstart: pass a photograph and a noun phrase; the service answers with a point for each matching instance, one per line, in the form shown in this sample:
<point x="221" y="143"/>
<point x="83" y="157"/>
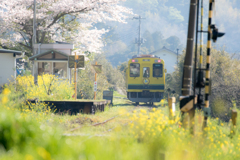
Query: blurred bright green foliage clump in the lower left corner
<point x="22" y="135"/>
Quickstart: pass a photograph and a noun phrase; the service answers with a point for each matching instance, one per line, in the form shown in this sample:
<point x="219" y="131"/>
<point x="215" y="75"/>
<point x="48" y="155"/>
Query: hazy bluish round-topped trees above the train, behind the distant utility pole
<point x="118" y="53"/>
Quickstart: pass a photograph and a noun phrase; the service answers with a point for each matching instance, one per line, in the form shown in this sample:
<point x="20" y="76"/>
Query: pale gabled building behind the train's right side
<point x="169" y="57"/>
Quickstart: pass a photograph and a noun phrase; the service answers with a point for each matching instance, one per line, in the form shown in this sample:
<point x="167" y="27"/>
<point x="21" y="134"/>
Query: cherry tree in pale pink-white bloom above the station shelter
<point x="58" y="20"/>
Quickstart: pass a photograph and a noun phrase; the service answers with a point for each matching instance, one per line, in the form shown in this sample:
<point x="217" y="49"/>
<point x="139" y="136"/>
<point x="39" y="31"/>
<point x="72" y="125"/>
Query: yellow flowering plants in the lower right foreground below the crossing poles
<point x="166" y="136"/>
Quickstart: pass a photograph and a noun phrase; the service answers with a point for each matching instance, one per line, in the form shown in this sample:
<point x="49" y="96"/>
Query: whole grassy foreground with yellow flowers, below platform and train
<point x="136" y="132"/>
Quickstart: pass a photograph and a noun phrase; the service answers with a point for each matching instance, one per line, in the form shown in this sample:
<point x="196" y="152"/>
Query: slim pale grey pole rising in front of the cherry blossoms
<point x="35" y="65"/>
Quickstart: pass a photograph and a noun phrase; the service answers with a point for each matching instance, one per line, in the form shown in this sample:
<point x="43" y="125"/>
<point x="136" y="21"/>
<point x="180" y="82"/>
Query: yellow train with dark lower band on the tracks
<point x="145" y="79"/>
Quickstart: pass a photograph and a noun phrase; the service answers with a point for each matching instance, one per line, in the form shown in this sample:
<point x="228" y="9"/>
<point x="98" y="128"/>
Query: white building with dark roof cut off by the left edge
<point x="8" y="65"/>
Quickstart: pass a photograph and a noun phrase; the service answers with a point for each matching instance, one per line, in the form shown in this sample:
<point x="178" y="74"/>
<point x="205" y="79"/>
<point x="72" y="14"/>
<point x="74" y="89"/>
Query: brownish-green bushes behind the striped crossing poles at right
<point x="225" y="78"/>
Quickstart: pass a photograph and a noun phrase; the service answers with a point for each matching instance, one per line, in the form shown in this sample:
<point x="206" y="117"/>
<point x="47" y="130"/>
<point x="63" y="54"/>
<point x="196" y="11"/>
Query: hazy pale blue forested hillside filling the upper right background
<point x="172" y="19"/>
